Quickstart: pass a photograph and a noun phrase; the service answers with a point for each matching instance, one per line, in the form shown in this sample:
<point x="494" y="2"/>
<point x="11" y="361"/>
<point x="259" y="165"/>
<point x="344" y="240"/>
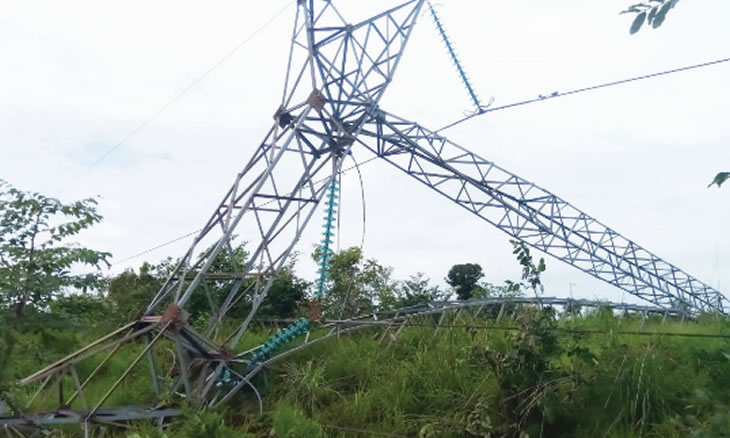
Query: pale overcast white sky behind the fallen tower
<point x="78" y="76"/>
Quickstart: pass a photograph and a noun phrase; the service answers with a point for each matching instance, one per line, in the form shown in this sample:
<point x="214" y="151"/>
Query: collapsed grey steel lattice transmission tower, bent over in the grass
<point x="336" y="75"/>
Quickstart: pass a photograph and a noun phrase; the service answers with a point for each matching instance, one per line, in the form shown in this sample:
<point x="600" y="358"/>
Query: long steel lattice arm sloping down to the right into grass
<point x="528" y="212"/>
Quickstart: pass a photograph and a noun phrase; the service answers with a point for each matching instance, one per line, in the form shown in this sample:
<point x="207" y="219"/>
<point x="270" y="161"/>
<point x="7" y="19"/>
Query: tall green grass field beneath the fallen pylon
<point x="532" y="374"/>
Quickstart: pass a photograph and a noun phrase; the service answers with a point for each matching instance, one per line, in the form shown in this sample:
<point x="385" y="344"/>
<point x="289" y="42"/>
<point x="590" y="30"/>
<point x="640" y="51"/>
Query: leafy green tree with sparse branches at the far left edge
<point x="36" y="251"/>
